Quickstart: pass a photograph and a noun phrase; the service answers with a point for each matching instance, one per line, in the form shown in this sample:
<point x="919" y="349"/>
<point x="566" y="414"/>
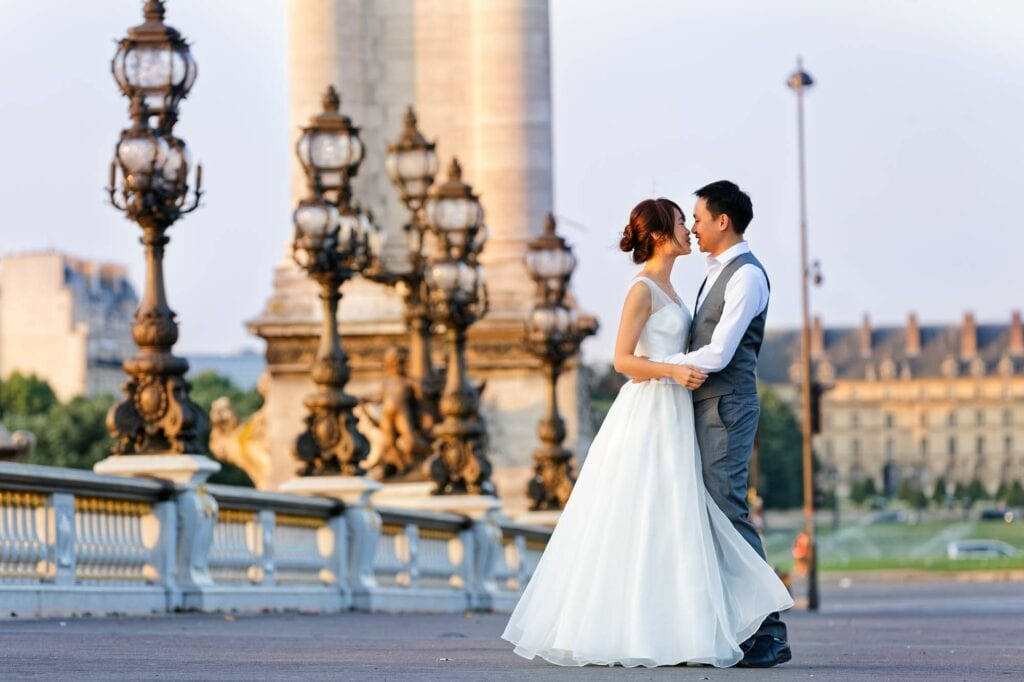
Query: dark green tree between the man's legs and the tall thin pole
<point x="781" y="454"/>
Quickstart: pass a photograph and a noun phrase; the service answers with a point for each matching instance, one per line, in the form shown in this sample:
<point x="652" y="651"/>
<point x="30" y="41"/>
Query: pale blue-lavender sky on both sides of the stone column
<point x="915" y="148"/>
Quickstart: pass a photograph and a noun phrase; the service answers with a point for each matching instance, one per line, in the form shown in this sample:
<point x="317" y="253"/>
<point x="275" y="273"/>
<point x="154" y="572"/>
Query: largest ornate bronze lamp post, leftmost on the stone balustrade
<point x="154" y="68"/>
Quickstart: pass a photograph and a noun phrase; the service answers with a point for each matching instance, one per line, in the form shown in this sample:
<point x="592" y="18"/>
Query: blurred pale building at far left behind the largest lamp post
<point x="67" y="321"/>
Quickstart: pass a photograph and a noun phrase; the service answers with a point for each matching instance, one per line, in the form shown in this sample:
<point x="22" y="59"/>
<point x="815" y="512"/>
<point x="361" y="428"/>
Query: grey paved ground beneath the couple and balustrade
<point x="879" y="631"/>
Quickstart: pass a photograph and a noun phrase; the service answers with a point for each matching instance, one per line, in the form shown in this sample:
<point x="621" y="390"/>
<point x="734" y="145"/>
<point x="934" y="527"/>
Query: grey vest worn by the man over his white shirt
<point x="739" y="376"/>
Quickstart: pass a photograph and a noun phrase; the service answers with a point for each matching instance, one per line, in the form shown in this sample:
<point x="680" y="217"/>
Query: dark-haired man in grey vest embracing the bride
<point x="726" y="338"/>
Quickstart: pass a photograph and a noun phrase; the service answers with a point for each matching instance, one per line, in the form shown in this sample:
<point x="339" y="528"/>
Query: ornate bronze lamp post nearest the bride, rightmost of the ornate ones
<point x="553" y="334"/>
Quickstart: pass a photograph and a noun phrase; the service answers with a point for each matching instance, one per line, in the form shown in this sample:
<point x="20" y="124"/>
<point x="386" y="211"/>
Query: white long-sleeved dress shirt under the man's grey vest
<point x="746" y="299"/>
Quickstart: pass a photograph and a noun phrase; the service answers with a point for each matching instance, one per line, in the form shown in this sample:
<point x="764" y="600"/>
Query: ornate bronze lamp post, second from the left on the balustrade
<point x="333" y="241"/>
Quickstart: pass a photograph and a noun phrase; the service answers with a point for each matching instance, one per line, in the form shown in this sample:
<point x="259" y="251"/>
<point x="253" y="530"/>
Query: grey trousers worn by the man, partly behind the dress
<point x="727" y="427"/>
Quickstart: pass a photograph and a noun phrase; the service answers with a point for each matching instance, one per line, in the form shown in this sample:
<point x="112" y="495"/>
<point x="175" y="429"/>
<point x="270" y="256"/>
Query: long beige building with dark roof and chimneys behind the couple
<point x="918" y="403"/>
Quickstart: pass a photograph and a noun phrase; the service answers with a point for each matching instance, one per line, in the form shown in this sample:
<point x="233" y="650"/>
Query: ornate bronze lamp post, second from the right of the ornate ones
<point x="458" y="297"/>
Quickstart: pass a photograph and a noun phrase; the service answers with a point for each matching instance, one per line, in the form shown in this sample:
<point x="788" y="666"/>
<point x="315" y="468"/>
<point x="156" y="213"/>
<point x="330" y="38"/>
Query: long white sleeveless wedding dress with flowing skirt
<point x="644" y="569"/>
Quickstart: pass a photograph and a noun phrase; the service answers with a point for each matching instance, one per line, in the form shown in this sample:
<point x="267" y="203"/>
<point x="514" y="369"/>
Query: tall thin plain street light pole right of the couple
<point x="800" y="81"/>
